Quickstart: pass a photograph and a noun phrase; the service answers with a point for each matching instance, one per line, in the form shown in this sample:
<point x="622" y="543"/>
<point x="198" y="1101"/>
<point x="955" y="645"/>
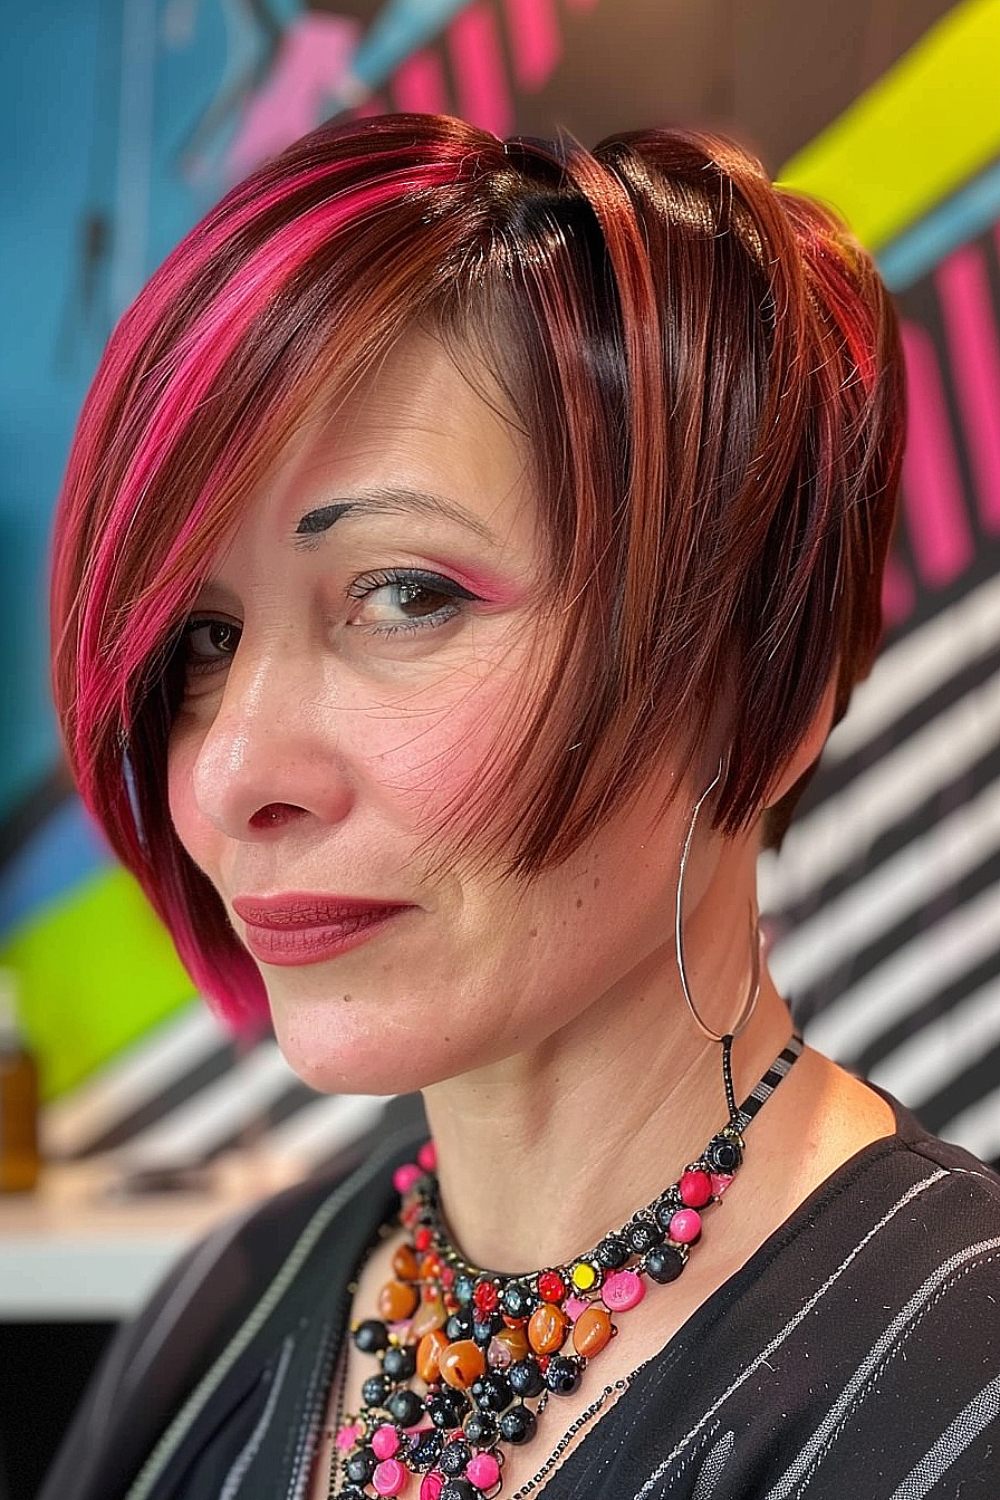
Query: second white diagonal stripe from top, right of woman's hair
<point x="843" y="829"/>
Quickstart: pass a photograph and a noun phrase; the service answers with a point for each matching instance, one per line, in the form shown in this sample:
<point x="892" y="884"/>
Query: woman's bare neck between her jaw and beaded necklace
<point x="545" y="1153"/>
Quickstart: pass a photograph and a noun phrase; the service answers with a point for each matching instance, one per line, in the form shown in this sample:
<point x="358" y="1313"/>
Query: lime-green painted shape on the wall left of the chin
<point x="95" y="971"/>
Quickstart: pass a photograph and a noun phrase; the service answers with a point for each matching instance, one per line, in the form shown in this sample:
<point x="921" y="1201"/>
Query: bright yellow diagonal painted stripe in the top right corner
<point x="917" y="136"/>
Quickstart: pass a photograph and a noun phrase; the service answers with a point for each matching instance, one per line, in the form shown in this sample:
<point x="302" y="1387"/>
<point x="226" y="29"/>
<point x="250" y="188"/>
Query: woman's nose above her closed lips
<point x="274" y="754"/>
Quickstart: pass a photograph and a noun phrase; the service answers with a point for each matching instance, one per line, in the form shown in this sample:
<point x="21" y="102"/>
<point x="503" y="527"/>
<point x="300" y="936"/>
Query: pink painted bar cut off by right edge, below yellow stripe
<point x="971" y="328"/>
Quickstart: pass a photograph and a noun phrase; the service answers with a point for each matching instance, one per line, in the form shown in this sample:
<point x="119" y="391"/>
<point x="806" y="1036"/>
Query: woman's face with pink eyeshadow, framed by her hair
<point x="355" y="661"/>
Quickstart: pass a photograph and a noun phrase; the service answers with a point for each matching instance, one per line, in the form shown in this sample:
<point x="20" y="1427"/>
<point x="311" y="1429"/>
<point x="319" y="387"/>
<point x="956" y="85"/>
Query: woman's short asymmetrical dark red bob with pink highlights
<point x="707" y="371"/>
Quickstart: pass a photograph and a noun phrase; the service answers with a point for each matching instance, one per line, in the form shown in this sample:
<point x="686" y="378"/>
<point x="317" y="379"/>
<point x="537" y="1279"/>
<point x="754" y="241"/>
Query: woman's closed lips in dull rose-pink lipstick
<point x="304" y="928"/>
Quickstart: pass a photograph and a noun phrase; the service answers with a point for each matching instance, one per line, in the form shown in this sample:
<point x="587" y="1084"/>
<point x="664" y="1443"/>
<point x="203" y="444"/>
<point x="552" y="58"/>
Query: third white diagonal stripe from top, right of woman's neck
<point x="935" y="862"/>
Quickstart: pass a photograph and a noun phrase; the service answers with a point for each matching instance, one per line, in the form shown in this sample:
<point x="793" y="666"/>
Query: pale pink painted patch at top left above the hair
<point x="311" y="65"/>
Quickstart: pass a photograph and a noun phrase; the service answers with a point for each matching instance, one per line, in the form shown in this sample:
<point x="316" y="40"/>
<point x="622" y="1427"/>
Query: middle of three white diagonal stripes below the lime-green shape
<point x="215" y="1114"/>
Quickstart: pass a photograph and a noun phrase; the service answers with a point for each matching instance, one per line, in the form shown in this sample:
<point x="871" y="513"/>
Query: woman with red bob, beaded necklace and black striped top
<point x="466" y="551"/>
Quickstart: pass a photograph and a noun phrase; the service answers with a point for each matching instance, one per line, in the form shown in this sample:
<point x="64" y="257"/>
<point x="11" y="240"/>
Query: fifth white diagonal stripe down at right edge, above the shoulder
<point x="944" y="1049"/>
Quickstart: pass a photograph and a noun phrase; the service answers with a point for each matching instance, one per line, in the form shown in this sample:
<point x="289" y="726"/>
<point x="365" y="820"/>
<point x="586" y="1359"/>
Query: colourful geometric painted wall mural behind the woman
<point x="133" y="116"/>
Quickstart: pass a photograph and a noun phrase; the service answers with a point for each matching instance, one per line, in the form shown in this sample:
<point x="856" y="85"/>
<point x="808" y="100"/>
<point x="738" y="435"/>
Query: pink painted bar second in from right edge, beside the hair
<point x="932" y="484"/>
